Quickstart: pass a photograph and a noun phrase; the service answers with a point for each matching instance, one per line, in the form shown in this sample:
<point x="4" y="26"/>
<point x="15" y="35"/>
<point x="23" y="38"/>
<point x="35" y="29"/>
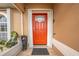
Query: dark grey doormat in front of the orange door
<point x="40" y="51"/>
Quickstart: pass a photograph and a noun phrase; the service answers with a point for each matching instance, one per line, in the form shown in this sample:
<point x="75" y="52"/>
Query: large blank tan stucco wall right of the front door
<point x="66" y="24"/>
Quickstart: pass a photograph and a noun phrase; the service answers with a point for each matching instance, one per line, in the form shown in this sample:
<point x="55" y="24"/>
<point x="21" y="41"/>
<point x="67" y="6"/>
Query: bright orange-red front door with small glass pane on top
<point x="39" y="26"/>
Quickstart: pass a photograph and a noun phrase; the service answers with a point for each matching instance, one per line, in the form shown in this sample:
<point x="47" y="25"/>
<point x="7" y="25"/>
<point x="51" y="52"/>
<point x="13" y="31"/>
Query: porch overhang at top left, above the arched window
<point x="20" y="6"/>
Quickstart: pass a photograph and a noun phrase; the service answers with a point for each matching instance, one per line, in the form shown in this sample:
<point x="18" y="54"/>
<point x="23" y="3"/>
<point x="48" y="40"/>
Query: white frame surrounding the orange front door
<point x="49" y="27"/>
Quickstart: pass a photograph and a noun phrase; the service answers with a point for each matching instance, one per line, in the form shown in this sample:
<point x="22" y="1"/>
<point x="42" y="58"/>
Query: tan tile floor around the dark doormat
<point x="28" y="52"/>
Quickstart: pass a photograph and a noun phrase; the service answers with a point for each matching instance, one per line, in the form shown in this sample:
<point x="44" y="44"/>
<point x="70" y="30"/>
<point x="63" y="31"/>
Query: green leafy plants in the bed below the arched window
<point x="11" y="42"/>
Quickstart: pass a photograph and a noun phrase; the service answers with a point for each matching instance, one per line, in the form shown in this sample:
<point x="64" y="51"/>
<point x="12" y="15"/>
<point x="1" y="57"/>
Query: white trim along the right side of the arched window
<point x="7" y="15"/>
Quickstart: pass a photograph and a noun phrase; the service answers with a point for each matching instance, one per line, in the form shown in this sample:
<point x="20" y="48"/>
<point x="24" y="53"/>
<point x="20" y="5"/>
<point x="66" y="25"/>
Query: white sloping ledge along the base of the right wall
<point x="64" y="49"/>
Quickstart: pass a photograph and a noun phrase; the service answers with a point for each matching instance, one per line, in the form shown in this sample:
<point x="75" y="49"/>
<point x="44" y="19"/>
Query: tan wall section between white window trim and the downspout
<point x="15" y="21"/>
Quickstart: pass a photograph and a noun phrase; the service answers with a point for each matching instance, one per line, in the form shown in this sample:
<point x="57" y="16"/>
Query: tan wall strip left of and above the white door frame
<point x="33" y="6"/>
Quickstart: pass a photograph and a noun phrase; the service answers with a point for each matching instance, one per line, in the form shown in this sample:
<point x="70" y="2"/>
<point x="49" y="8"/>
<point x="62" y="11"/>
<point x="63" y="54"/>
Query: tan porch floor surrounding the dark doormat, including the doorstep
<point x="52" y="51"/>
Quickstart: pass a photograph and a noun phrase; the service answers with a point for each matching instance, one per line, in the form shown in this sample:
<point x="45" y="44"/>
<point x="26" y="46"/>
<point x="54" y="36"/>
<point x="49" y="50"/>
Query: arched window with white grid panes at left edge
<point x="3" y="27"/>
